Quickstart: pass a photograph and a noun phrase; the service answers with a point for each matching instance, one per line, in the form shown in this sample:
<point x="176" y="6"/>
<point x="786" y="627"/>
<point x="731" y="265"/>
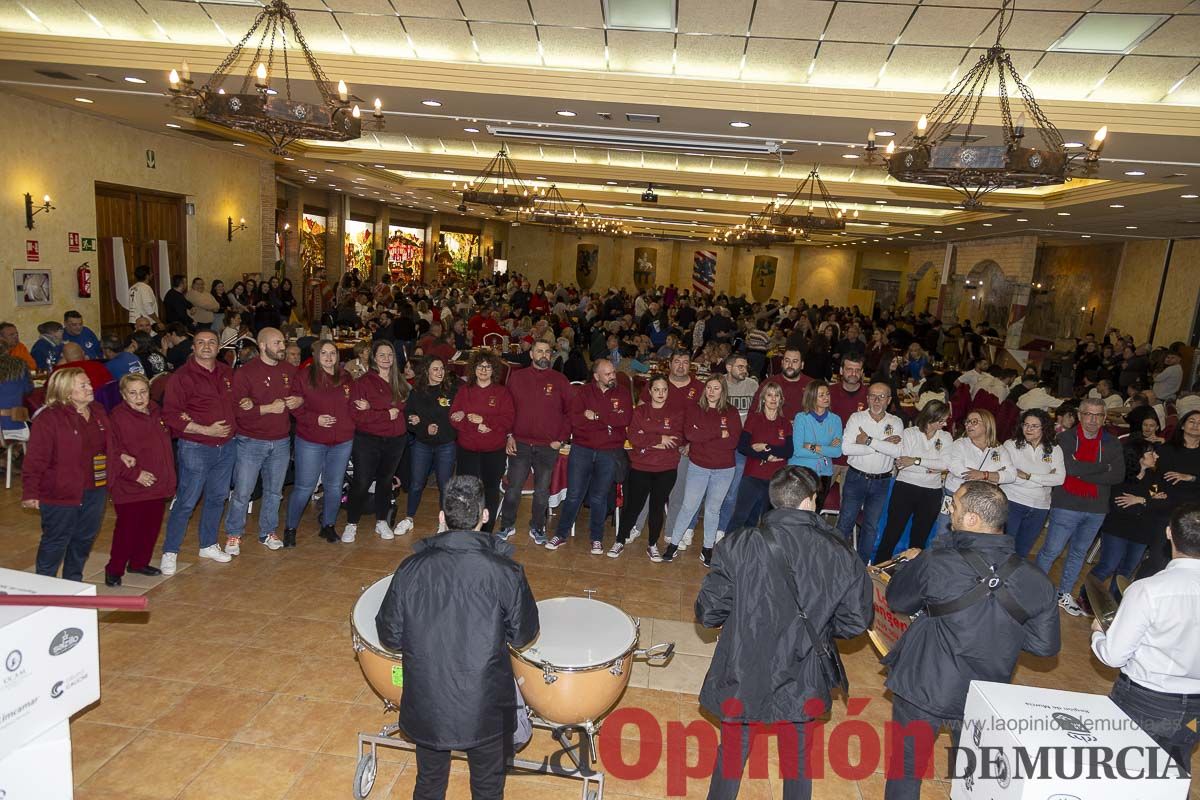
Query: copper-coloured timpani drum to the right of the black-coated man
<point x="579" y="666"/>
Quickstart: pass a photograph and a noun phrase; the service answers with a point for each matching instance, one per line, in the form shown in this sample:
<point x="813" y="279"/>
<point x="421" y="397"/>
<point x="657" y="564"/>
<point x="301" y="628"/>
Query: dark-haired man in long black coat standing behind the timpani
<point x="453" y="609"/>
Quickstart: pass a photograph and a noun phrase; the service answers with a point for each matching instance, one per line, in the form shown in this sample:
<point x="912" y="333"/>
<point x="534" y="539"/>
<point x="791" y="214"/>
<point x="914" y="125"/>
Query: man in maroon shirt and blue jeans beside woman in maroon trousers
<point x="201" y="412"/>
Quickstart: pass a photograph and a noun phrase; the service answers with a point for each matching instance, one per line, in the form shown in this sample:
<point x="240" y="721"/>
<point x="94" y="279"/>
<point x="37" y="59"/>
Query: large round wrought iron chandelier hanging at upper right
<point x="944" y="152"/>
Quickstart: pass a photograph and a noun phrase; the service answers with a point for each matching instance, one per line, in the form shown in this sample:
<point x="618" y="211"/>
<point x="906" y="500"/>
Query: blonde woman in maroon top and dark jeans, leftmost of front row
<point x="65" y="476"/>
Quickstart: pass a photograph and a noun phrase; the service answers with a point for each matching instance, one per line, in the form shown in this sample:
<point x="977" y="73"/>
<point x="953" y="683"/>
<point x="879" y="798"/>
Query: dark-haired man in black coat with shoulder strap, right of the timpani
<point x="766" y="667"/>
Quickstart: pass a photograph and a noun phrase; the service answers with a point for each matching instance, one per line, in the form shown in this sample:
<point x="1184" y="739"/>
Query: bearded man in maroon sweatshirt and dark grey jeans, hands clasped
<point x="542" y="399"/>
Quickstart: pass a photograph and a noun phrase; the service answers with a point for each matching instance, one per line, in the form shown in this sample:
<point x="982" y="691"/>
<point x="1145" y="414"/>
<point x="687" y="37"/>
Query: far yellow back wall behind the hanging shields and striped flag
<point x="812" y="273"/>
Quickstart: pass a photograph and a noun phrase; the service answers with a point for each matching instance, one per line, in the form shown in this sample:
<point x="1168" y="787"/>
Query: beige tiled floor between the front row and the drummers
<point x="242" y="683"/>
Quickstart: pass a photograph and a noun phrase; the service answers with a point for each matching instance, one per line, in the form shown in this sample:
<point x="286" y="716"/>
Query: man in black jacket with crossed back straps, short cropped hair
<point x="983" y="606"/>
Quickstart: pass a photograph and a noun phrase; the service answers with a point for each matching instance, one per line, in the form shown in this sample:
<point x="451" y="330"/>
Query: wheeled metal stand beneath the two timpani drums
<point x="577" y="742"/>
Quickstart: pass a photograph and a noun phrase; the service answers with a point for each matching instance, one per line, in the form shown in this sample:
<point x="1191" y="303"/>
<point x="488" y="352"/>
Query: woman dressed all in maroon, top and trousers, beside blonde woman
<point x="142" y="467"/>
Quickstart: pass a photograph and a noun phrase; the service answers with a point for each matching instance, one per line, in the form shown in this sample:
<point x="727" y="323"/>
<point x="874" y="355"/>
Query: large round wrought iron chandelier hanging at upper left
<point x="273" y="113"/>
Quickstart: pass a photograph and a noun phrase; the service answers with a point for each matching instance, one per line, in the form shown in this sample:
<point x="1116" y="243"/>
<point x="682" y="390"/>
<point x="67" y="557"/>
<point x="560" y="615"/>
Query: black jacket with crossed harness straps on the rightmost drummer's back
<point x="938" y="658"/>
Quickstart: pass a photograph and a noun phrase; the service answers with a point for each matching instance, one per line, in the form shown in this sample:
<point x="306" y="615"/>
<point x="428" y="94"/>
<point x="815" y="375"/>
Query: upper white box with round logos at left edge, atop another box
<point x="51" y="659"/>
